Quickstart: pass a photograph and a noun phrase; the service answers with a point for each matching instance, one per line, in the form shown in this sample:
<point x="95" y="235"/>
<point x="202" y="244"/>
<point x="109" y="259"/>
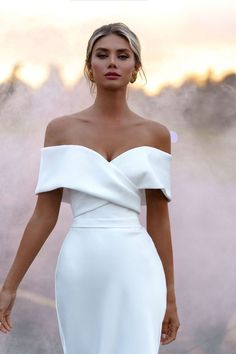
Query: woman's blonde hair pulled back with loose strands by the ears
<point x="121" y="30"/>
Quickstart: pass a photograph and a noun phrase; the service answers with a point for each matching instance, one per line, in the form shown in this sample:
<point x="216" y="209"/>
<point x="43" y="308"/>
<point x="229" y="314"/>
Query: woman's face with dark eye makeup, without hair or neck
<point x="112" y="53"/>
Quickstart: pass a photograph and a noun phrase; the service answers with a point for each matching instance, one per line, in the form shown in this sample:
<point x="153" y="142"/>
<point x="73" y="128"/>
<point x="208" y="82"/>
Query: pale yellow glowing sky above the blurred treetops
<point x="178" y="39"/>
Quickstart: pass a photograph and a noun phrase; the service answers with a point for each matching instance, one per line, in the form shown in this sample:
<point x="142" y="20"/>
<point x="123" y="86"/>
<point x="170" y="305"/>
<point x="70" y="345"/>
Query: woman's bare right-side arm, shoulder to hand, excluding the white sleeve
<point x="158" y="226"/>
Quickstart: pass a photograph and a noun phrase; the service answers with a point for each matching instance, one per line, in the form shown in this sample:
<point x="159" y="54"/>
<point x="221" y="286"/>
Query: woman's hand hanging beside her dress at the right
<point x="170" y="324"/>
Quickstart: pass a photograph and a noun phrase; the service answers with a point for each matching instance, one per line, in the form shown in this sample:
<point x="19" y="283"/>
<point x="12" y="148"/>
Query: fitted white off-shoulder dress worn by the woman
<point x="110" y="284"/>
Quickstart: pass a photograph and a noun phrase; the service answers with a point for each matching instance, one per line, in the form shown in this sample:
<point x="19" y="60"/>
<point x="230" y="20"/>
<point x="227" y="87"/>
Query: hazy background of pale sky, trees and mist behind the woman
<point x="189" y="58"/>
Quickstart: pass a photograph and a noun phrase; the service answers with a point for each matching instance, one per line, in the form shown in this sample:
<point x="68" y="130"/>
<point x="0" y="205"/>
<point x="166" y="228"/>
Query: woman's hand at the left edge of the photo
<point x="7" y="299"/>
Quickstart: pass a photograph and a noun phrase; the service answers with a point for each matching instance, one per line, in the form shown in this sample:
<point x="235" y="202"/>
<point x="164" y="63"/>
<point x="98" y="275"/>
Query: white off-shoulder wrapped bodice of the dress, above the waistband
<point x="89" y="180"/>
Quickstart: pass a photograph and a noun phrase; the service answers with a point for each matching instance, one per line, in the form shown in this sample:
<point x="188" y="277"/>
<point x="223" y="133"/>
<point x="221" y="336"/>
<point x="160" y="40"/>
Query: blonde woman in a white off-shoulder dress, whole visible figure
<point x="114" y="279"/>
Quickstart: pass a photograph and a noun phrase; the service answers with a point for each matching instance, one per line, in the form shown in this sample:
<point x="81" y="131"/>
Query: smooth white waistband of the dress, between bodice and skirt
<point x="108" y="222"/>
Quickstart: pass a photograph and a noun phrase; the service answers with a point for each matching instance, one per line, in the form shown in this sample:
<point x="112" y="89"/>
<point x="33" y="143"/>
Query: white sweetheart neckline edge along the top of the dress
<point x="102" y="157"/>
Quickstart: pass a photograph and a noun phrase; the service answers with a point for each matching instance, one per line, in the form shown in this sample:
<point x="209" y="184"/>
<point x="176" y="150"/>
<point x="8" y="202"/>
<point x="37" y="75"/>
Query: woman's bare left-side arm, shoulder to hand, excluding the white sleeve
<point x="37" y="230"/>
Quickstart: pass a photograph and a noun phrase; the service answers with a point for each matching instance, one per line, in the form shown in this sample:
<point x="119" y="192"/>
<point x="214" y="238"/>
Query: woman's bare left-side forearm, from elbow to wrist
<point x="35" y="234"/>
